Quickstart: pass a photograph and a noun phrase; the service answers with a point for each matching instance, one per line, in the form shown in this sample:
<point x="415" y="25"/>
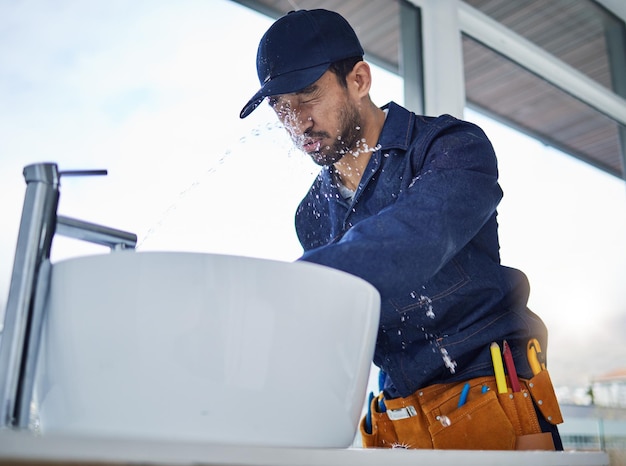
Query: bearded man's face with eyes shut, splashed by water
<point x="322" y="119"/>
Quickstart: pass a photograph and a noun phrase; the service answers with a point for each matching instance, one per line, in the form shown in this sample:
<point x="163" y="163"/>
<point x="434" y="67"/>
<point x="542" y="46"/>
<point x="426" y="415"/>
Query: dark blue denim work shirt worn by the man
<point x="422" y="229"/>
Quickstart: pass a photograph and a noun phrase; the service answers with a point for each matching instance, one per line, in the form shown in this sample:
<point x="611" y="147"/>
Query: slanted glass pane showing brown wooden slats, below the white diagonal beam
<point x="508" y="92"/>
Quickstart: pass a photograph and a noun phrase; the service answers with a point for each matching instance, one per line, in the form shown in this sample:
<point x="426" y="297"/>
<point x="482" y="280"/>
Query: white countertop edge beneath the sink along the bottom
<point x="21" y="447"/>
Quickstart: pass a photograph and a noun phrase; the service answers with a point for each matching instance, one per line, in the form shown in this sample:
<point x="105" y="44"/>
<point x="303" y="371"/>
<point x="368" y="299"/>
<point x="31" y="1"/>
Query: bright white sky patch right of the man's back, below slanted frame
<point x="562" y="222"/>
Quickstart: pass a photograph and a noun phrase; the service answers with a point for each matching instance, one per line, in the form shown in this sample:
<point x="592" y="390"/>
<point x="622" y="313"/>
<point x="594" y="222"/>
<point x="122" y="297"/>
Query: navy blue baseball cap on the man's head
<point x="298" y="49"/>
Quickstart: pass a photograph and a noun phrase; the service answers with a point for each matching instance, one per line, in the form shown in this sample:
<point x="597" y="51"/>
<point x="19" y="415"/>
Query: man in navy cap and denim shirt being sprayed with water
<point x="408" y="203"/>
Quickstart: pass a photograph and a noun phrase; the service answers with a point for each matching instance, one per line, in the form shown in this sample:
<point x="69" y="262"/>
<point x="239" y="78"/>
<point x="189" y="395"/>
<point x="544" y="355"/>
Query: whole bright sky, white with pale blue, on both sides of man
<point x="151" y="91"/>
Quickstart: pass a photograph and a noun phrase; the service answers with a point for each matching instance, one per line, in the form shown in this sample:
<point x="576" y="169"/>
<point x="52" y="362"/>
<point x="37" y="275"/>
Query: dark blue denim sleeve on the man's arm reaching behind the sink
<point x="452" y="193"/>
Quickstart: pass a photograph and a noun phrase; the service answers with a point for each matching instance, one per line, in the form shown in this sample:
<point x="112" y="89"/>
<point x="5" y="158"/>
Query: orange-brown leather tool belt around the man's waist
<point x="487" y="421"/>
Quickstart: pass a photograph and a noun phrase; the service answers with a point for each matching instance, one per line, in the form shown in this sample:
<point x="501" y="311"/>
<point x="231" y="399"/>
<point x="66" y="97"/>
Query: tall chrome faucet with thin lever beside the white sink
<point x="30" y="280"/>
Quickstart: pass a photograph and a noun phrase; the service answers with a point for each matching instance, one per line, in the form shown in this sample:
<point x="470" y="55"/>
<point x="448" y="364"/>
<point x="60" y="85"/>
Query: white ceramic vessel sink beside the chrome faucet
<point x="205" y="347"/>
